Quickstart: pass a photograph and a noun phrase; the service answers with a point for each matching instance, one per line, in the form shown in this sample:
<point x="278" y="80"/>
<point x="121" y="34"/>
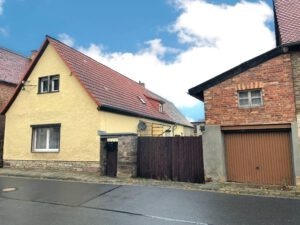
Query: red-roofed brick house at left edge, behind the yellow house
<point x="12" y="67"/>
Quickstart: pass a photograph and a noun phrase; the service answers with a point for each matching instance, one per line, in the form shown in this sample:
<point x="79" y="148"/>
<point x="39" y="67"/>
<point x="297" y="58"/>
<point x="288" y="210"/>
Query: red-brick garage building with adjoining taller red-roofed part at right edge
<point x="252" y="130"/>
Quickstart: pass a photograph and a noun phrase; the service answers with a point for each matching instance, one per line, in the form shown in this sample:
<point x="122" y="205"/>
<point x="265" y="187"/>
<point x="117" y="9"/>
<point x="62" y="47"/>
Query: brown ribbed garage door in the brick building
<point x="259" y="157"/>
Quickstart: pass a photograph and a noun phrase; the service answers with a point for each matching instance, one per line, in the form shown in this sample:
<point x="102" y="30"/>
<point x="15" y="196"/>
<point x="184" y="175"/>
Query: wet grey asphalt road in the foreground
<point x="49" y="202"/>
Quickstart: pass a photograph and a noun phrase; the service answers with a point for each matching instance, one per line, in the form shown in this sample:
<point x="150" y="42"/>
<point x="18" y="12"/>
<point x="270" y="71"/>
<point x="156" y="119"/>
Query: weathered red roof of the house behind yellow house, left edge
<point x="12" y="66"/>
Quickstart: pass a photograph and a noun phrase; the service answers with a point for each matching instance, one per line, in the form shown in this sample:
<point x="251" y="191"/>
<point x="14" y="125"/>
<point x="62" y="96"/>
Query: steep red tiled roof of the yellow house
<point x="110" y="90"/>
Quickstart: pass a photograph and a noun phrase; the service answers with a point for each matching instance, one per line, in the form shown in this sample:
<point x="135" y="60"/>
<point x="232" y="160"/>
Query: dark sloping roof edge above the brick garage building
<point x="197" y="91"/>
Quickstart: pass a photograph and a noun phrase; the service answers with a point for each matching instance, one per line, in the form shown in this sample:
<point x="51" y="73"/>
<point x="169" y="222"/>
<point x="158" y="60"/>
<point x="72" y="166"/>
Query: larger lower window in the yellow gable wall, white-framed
<point x="46" y="138"/>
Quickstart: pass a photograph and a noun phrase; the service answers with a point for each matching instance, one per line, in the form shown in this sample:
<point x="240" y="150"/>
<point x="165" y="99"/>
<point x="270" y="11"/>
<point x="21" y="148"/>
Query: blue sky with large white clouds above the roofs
<point x="170" y="45"/>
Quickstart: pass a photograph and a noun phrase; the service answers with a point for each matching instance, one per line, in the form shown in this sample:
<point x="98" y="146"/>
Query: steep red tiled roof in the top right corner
<point x="287" y="21"/>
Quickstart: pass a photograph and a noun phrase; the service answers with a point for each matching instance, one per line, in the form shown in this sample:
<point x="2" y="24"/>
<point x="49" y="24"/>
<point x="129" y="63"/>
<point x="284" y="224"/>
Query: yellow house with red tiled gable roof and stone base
<point x="66" y="100"/>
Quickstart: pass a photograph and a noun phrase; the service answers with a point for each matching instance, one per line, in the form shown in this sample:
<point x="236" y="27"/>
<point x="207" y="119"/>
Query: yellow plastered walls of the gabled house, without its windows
<point x="71" y="107"/>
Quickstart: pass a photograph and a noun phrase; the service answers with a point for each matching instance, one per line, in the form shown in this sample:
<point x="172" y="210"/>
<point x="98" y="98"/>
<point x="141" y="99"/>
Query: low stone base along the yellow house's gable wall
<point x="54" y="165"/>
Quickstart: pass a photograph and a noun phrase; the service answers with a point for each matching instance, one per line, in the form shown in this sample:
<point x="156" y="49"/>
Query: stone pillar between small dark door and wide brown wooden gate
<point x="127" y="157"/>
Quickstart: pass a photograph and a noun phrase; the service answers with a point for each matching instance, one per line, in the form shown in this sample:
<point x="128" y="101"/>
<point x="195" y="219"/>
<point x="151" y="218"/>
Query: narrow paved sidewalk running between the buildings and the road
<point x="230" y="188"/>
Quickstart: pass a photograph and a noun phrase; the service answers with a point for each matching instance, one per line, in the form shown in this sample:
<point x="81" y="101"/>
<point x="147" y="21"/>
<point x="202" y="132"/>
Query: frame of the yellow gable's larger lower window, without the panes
<point x="45" y="150"/>
